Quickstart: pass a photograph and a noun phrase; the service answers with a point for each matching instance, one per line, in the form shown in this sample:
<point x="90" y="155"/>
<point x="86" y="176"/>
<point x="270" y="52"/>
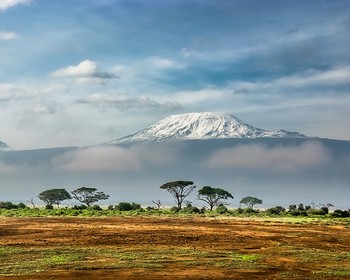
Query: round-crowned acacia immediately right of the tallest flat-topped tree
<point x="213" y="196"/>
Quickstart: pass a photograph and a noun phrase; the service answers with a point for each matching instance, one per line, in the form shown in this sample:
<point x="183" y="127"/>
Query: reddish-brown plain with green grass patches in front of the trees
<point x="169" y="247"/>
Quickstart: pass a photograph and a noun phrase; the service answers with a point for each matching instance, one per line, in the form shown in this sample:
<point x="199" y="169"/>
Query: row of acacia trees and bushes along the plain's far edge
<point x="179" y="190"/>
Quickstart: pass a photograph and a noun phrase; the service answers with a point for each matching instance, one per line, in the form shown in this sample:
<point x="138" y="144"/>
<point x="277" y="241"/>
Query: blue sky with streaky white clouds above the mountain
<point x="75" y="73"/>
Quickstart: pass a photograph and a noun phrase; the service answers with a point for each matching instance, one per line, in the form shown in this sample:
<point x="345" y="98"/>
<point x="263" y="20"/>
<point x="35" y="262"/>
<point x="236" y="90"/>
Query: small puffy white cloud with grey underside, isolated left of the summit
<point x="86" y="71"/>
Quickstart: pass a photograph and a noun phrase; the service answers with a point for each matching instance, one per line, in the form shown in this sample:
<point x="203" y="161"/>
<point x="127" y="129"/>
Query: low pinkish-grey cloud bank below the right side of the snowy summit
<point x="309" y="155"/>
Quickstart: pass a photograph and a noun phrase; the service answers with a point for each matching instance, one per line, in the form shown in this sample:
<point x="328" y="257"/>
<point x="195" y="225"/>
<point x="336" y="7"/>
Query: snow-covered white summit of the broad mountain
<point x="195" y="126"/>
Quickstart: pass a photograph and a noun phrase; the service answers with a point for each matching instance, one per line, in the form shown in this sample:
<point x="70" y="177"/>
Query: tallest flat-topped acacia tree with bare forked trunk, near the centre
<point x="179" y="190"/>
